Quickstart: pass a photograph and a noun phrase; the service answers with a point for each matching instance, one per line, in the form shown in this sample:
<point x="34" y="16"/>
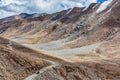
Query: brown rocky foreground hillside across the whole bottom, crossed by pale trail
<point x="17" y="62"/>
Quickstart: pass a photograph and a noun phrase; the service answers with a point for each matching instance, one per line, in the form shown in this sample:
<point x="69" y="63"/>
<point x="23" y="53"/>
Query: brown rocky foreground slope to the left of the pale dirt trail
<point x="17" y="62"/>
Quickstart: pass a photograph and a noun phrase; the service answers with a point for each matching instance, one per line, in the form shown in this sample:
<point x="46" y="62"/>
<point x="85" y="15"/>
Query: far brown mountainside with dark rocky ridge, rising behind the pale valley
<point x="77" y="27"/>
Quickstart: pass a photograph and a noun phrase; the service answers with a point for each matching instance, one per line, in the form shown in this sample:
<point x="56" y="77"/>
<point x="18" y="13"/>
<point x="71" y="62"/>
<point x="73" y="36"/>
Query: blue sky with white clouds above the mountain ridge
<point x="13" y="7"/>
